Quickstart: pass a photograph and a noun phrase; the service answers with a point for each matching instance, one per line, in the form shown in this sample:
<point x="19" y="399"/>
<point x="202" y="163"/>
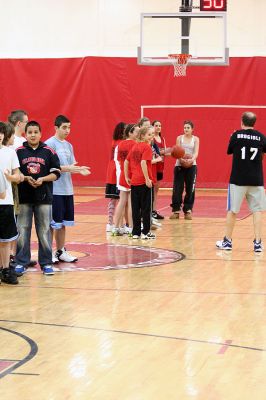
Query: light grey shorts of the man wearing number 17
<point x="255" y="196"/>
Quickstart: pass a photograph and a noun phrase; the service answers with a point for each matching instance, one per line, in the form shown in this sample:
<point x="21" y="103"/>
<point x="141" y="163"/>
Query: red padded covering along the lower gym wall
<point x="96" y="93"/>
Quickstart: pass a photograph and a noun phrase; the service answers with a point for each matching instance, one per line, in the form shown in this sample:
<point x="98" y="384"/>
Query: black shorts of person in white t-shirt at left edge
<point x="8" y="228"/>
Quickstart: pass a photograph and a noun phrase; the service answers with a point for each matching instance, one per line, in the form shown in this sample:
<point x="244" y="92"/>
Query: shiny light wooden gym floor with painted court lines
<point x="136" y="321"/>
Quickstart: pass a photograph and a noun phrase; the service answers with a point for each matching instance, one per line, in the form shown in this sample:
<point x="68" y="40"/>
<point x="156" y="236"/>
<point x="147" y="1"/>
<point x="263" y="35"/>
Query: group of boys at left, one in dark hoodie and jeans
<point x="35" y="182"/>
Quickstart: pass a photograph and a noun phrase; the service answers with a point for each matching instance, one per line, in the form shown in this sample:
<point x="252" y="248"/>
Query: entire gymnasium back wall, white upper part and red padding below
<point x="78" y="58"/>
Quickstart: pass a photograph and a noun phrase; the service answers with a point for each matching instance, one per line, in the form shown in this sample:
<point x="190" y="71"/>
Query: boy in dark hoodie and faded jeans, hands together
<point x="40" y="166"/>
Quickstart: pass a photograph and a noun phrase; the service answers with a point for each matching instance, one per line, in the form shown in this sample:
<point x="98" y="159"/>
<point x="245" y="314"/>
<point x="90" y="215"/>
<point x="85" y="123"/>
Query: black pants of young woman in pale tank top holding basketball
<point x="184" y="178"/>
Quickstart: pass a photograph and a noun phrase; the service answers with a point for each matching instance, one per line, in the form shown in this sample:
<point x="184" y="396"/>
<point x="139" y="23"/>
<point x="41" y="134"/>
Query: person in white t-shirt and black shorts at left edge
<point x="9" y="165"/>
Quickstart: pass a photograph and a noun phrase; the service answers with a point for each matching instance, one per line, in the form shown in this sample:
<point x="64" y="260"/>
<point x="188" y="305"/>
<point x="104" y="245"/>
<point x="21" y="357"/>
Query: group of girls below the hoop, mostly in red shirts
<point x="135" y="171"/>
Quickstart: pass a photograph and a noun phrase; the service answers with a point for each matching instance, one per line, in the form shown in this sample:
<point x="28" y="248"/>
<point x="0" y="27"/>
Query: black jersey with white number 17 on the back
<point x="247" y="147"/>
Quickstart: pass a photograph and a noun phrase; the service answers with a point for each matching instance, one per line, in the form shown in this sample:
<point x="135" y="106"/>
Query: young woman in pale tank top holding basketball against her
<point x="185" y="173"/>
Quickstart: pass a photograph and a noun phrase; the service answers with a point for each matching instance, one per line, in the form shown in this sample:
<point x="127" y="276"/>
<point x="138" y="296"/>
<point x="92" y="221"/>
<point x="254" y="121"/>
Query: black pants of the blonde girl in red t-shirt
<point x="141" y="209"/>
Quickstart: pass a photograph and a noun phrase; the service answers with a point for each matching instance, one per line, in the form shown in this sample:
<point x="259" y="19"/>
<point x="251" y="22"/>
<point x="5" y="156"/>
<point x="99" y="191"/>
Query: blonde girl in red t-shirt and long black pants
<point x="139" y="162"/>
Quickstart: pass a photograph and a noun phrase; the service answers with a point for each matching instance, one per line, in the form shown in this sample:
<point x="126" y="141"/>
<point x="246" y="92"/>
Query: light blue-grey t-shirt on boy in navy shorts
<point x="63" y="186"/>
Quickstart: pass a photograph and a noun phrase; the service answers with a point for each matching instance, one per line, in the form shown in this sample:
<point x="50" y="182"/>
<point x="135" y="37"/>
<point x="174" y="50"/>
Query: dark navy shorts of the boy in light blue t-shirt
<point x="63" y="211"/>
